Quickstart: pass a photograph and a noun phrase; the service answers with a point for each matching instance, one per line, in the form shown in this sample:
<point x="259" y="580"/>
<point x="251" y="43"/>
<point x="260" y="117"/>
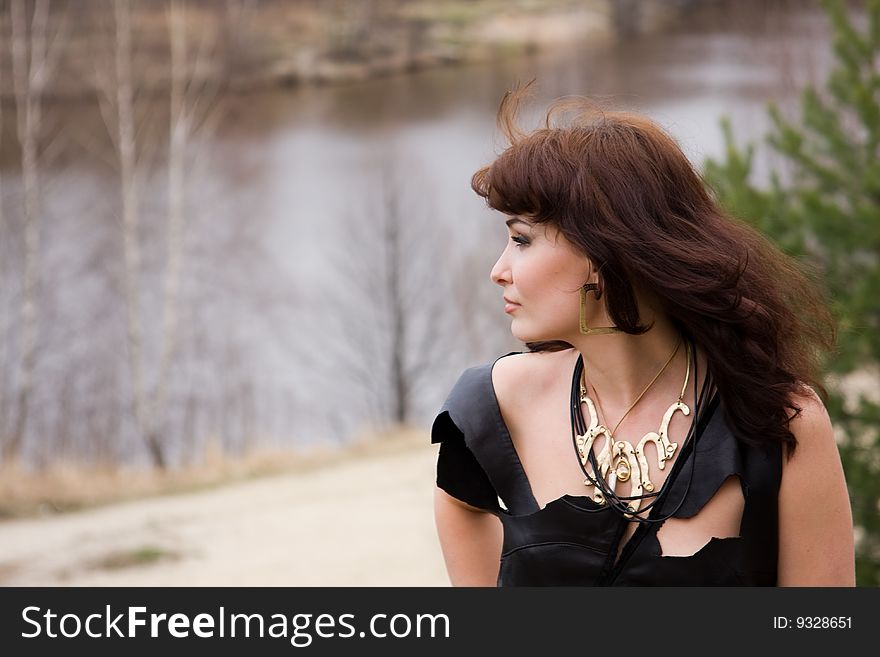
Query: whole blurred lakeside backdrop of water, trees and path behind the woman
<point x="238" y="244"/>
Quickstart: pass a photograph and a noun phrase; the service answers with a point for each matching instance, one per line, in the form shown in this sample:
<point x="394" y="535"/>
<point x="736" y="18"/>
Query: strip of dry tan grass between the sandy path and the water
<point x="69" y="487"/>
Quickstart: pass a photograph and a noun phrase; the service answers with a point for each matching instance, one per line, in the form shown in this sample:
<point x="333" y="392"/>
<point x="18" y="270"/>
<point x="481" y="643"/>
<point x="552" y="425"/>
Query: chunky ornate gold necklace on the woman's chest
<point x="628" y="461"/>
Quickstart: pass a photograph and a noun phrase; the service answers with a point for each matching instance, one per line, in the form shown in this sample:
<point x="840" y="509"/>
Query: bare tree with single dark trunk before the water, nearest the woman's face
<point x="386" y="326"/>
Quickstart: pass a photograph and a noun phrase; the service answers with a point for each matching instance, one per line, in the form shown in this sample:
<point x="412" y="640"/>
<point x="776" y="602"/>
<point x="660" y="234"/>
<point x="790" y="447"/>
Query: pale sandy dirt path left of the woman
<point x="358" y="523"/>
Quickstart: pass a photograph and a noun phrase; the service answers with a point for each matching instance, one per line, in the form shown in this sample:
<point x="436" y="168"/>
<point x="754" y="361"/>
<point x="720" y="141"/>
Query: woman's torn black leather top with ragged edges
<point x="573" y="541"/>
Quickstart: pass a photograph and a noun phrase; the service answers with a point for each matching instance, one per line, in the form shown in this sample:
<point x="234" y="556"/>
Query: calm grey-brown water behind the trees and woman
<point x="288" y="188"/>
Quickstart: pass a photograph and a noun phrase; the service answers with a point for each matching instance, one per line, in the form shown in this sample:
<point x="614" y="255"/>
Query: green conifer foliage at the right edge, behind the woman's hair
<point x="823" y="207"/>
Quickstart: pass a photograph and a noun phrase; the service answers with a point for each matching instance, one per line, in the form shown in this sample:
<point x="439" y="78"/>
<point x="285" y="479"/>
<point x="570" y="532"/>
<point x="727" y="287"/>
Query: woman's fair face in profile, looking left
<point x="541" y="273"/>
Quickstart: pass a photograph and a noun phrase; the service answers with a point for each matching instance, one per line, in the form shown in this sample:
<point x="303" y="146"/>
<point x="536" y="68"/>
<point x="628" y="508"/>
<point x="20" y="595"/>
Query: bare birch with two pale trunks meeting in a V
<point x="197" y="77"/>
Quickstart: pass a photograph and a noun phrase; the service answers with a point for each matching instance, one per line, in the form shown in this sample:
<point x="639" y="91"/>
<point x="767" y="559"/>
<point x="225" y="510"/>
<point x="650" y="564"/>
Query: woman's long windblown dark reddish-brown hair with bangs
<point x="619" y="188"/>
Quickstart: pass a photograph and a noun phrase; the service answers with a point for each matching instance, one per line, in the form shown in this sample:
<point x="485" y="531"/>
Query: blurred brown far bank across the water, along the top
<point x="243" y="45"/>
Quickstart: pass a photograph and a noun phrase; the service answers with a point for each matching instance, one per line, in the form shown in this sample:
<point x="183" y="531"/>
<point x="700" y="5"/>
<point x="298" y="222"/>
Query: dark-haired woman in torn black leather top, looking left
<point x="662" y="428"/>
